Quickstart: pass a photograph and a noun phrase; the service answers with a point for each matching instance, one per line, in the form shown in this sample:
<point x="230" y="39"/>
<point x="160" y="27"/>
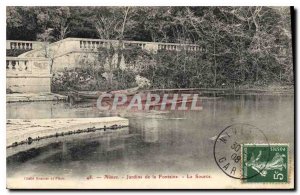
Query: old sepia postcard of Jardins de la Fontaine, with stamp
<point x="150" y="97"/>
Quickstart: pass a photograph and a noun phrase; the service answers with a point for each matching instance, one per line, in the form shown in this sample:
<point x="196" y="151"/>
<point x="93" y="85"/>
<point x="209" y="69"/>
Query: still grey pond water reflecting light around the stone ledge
<point x="155" y="142"/>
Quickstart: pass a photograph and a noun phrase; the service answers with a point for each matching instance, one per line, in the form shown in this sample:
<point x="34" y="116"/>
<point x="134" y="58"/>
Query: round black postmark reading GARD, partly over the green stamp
<point x="232" y="156"/>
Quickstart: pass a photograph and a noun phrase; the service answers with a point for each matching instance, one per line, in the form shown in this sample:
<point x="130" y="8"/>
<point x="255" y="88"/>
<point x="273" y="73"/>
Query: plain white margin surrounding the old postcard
<point x="295" y="3"/>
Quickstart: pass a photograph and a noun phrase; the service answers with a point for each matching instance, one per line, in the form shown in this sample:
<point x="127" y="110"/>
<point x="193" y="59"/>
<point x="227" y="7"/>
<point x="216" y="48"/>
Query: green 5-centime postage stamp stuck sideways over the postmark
<point x="265" y="163"/>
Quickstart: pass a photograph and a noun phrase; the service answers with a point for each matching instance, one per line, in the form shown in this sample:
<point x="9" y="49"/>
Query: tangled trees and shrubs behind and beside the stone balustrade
<point x="240" y="45"/>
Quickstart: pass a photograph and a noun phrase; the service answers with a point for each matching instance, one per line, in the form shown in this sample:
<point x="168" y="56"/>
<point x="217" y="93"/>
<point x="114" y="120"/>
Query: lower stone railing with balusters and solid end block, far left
<point x="25" y="66"/>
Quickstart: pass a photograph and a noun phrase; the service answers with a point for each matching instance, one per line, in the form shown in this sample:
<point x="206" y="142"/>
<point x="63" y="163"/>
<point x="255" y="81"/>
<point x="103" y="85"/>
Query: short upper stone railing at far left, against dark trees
<point x="23" y="45"/>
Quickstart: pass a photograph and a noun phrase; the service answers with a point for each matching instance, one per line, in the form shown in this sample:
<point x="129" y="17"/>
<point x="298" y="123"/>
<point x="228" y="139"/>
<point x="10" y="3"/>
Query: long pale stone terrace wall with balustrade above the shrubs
<point x="70" y="52"/>
